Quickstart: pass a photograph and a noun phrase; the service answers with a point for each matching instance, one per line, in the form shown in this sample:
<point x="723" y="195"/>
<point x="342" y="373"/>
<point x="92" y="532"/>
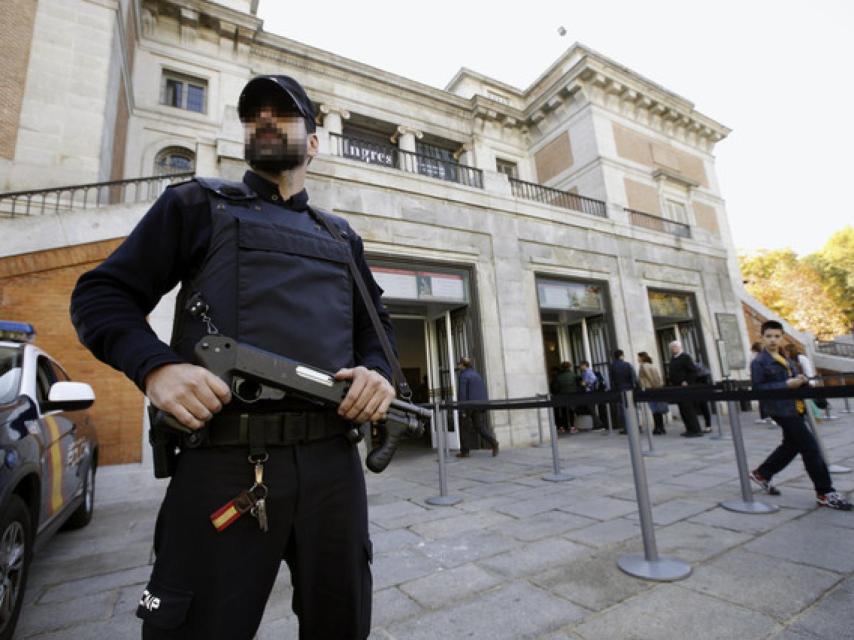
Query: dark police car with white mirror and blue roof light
<point x="48" y="458"/>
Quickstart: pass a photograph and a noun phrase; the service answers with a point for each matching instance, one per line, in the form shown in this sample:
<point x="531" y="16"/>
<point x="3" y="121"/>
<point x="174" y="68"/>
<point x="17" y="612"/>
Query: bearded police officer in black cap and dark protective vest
<point x="273" y="276"/>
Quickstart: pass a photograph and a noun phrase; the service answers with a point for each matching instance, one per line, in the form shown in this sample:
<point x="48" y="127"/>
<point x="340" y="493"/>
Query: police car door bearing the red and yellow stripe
<point x="57" y="436"/>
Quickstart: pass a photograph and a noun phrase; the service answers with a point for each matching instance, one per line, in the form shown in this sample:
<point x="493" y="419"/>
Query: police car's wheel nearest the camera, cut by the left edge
<point x="15" y="555"/>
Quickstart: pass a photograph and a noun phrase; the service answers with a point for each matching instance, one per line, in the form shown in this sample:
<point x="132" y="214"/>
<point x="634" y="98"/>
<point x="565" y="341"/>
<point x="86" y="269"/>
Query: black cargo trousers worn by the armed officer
<point x="215" y="585"/>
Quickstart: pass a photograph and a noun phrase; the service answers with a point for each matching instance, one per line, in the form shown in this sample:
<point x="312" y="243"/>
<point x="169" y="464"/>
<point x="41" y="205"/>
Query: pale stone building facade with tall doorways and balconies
<point x="521" y="227"/>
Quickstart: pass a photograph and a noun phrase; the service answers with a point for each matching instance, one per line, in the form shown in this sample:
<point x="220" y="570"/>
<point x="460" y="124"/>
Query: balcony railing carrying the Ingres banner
<point x="395" y="158"/>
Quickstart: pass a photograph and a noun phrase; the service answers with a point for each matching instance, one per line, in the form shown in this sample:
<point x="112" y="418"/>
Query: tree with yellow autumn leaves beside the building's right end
<point x="814" y="293"/>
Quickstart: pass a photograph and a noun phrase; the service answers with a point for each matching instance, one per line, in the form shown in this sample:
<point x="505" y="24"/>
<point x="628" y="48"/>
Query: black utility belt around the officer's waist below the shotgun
<point x="271" y="429"/>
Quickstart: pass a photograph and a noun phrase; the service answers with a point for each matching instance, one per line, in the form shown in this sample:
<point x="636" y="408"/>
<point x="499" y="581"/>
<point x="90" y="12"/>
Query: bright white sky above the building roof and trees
<point x="779" y="73"/>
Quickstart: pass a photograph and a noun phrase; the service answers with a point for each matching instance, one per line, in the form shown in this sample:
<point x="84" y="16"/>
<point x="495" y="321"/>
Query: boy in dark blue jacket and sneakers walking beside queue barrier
<point x="772" y="370"/>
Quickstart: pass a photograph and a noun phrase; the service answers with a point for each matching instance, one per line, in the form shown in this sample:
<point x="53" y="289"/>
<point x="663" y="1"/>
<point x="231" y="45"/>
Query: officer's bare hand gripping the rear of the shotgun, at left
<point x="192" y="394"/>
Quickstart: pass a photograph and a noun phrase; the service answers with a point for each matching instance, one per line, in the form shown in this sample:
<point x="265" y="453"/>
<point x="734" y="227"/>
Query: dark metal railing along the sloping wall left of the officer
<point x="85" y="196"/>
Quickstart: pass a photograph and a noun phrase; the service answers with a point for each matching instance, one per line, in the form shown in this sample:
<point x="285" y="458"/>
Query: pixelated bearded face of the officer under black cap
<point x="276" y="139"/>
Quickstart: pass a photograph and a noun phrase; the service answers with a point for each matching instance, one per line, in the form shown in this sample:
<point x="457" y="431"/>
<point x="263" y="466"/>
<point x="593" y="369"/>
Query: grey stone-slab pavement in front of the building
<point x="520" y="557"/>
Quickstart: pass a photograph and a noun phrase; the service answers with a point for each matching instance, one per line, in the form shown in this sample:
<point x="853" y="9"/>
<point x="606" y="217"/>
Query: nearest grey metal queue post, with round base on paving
<point x="649" y="565"/>
